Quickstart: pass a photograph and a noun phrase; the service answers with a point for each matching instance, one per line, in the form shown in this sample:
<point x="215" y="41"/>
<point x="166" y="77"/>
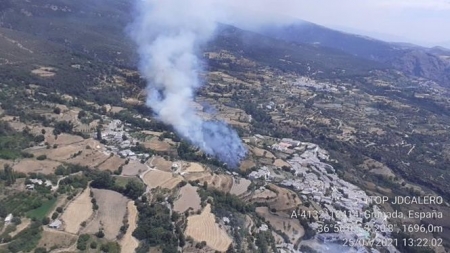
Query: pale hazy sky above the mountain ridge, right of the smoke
<point x="425" y="22"/>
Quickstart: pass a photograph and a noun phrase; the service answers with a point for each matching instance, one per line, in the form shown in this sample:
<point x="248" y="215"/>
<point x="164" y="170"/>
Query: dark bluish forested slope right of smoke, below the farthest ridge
<point x="299" y="57"/>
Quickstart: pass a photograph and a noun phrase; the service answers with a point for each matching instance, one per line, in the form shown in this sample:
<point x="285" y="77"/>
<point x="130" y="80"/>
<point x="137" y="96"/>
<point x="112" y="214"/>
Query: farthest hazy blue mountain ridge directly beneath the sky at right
<point x="410" y="59"/>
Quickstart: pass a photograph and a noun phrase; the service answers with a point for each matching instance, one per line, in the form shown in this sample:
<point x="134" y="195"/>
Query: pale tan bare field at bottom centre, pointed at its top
<point x="203" y="227"/>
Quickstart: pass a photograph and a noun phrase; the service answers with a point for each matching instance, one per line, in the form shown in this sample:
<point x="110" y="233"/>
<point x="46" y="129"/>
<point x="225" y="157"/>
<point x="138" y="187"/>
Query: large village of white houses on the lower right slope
<point x="335" y="199"/>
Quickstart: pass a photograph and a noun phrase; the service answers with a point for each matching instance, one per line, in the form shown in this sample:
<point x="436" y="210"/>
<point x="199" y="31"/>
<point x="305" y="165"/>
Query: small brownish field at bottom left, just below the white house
<point x="58" y="239"/>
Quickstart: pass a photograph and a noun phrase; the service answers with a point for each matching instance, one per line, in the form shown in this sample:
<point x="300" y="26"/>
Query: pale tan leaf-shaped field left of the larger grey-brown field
<point x="78" y="211"/>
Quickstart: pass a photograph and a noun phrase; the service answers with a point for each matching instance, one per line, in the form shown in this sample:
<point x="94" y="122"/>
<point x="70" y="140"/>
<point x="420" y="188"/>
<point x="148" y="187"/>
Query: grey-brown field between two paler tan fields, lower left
<point x="112" y="209"/>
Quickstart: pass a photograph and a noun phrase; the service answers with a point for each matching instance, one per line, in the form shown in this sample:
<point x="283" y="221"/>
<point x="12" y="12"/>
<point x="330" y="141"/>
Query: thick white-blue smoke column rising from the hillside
<point x="169" y="34"/>
